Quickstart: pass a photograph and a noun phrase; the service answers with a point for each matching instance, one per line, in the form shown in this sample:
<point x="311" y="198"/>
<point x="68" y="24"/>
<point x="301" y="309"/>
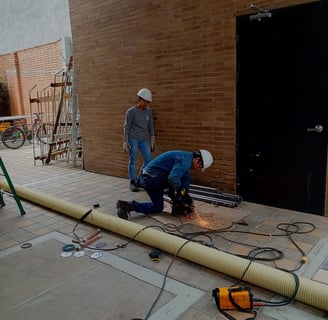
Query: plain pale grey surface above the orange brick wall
<point x="29" y="23"/>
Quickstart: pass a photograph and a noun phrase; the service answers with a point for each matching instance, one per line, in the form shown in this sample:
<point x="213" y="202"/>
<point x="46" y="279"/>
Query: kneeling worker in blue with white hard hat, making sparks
<point x="170" y="170"/>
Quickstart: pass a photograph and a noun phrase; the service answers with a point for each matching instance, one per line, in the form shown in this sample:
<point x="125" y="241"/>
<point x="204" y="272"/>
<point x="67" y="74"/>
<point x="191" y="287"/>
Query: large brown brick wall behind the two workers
<point x="184" y="51"/>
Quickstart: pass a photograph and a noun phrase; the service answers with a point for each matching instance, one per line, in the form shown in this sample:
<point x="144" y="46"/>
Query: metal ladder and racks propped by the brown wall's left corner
<point x="59" y="114"/>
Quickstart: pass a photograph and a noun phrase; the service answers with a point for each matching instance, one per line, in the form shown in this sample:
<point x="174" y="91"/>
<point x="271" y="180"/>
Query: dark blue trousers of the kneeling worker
<point x="155" y="187"/>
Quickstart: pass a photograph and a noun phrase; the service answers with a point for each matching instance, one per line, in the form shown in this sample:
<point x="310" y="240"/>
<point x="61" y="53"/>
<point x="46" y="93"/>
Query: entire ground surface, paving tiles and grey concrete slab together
<point x="40" y="282"/>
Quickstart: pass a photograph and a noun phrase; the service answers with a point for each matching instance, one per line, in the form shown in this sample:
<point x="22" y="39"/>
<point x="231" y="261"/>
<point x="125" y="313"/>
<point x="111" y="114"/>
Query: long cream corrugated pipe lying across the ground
<point x="310" y="292"/>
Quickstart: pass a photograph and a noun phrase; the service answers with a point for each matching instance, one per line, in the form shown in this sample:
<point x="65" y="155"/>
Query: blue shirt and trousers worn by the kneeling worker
<point x="168" y="170"/>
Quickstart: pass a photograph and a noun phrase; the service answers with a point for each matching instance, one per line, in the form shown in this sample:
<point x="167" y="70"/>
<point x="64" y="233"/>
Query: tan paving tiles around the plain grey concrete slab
<point x="86" y="188"/>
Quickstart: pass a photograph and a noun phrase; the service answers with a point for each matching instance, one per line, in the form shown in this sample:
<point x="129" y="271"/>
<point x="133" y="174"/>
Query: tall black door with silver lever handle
<point x="282" y="107"/>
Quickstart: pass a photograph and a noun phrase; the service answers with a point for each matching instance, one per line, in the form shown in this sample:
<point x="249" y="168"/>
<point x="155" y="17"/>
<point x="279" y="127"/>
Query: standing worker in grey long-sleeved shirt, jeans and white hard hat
<point x="139" y="134"/>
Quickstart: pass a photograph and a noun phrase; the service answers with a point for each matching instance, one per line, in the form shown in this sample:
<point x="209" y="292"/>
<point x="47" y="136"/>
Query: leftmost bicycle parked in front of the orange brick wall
<point x="15" y="136"/>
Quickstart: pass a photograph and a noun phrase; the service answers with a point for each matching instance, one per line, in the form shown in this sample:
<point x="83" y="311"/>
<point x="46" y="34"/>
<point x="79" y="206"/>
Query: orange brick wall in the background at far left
<point x="22" y="70"/>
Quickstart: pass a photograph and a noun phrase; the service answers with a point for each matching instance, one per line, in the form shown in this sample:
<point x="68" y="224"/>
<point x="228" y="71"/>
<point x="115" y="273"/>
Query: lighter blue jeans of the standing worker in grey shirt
<point x="144" y="148"/>
